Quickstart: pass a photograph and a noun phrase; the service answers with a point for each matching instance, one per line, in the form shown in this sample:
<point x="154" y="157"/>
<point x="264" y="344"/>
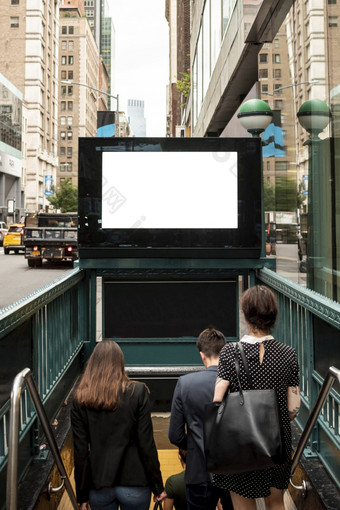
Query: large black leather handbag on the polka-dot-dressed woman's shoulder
<point x="243" y="432"/>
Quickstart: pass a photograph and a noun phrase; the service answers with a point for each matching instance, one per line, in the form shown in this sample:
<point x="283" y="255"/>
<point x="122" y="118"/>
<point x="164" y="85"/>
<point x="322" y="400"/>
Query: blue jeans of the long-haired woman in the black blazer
<point x="125" y="498"/>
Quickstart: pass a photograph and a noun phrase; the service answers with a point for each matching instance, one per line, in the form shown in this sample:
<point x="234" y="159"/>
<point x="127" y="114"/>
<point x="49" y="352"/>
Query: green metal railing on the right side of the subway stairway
<point x="310" y="323"/>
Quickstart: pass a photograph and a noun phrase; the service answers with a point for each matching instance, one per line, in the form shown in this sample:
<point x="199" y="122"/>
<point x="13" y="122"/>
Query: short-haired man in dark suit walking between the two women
<point x="193" y="391"/>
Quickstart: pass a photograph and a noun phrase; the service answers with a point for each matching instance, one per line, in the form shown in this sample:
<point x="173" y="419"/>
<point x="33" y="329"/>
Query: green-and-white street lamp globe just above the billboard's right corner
<point x="255" y="115"/>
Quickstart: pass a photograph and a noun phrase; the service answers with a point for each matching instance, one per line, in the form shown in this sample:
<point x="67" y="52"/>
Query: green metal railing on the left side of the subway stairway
<point x="45" y="332"/>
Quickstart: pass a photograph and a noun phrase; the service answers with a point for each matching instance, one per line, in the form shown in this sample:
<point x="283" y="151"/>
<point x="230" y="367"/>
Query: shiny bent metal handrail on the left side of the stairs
<point x="13" y="441"/>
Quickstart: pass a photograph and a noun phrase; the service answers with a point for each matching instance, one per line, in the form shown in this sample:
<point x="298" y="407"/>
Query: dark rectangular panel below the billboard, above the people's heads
<point x="142" y="309"/>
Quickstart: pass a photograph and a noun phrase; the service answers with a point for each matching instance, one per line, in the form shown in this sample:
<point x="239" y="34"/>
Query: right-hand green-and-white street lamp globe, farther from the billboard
<point x="314" y="116"/>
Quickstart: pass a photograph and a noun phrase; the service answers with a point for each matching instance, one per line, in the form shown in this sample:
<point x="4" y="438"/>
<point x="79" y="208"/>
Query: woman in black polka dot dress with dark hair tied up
<point x="272" y="364"/>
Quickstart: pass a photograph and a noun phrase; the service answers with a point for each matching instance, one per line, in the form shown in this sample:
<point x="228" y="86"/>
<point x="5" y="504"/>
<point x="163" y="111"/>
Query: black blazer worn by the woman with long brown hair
<point x="113" y="448"/>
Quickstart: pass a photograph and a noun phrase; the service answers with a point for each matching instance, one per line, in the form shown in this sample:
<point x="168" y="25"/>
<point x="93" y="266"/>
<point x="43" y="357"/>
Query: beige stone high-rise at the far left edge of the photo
<point x="29" y="34"/>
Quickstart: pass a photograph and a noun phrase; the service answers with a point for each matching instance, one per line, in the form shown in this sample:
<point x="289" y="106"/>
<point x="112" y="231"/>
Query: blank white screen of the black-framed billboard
<point x="179" y="190"/>
